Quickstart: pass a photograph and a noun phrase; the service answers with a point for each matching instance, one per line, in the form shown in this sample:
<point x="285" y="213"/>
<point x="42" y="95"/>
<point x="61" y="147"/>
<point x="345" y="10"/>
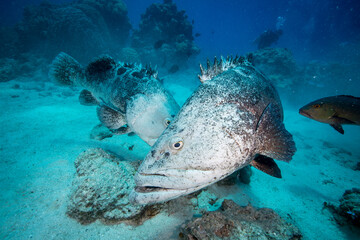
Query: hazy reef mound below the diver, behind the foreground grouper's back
<point x="278" y="65"/>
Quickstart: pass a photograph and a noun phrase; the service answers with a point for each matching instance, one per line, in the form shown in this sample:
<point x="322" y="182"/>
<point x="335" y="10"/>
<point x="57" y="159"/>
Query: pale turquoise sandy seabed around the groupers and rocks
<point x="44" y="129"/>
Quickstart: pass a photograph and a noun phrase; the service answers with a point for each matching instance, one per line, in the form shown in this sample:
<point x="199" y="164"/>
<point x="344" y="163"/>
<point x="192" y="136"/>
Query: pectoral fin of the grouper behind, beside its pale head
<point x="110" y="118"/>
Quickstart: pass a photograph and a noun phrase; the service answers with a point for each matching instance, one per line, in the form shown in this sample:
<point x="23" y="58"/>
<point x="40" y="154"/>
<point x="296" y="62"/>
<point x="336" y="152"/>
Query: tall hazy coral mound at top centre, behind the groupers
<point x="165" y="36"/>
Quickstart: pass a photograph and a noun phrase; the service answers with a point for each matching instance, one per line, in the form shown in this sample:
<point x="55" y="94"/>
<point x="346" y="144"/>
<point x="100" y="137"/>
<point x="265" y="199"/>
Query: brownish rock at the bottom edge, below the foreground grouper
<point x="232" y="221"/>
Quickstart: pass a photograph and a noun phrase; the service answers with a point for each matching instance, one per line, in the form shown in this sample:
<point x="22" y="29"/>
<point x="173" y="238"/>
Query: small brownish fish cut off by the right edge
<point x="336" y="110"/>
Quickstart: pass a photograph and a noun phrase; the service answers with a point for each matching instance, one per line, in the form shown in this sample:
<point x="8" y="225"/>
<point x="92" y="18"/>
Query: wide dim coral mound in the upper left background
<point x="84" y="28"/>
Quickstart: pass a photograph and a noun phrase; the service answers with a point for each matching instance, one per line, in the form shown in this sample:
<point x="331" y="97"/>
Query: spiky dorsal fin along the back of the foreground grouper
<point x="221" y="66"/>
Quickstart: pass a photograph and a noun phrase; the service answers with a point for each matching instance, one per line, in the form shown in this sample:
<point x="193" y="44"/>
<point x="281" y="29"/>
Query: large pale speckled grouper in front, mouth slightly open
<point x="234" y="118"/>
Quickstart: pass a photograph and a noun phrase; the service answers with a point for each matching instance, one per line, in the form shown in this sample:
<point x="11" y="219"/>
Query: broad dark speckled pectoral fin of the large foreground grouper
<point x="274" y="140"/>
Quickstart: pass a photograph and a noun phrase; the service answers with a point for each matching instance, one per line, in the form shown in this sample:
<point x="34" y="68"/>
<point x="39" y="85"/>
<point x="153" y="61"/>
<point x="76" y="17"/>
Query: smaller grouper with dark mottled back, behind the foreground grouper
<point x="129" y="98"/>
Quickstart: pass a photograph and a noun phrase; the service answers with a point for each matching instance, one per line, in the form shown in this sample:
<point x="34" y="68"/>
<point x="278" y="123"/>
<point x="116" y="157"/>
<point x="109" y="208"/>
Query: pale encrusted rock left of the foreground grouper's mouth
<point x="101" y="188"/>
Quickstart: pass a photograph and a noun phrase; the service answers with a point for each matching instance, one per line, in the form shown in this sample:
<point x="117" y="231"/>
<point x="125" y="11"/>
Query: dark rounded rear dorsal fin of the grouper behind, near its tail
<point x="100" y="69"/>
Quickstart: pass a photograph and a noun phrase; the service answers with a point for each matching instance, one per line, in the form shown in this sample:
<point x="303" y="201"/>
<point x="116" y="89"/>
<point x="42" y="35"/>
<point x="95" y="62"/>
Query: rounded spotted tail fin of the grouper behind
<point x="65" y="70"/>
